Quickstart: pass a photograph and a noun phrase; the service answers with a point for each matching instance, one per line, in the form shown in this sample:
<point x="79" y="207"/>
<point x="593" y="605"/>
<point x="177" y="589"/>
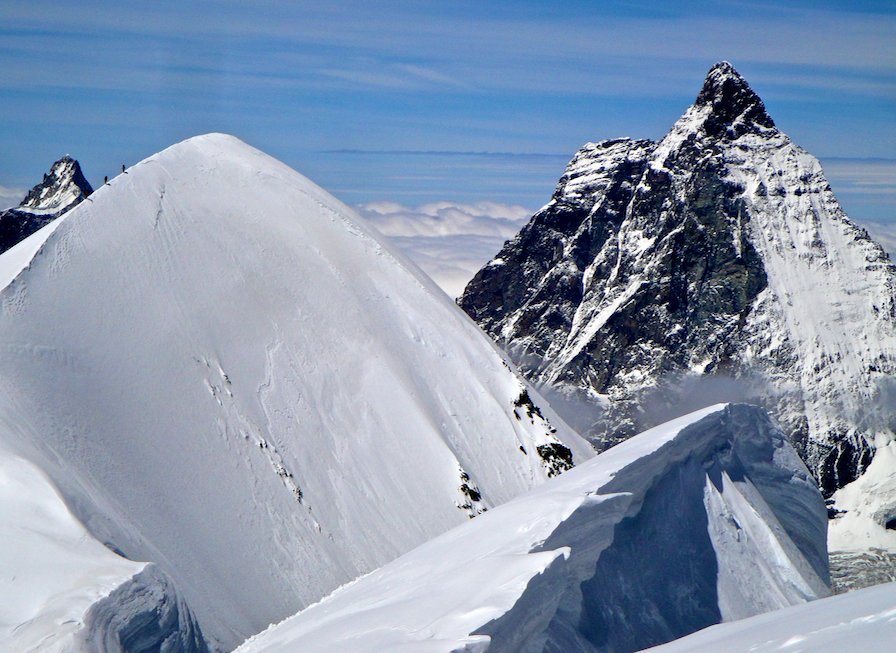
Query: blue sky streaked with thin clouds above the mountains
<point x="421" y="101"/>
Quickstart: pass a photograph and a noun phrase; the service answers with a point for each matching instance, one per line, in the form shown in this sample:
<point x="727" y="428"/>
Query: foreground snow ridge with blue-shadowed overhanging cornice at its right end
<point x="709" y="517"/>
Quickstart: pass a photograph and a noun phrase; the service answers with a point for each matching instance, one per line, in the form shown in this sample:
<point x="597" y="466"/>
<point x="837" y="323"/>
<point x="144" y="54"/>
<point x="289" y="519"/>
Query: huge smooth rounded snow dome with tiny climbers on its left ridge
<point x="227" y="374"/>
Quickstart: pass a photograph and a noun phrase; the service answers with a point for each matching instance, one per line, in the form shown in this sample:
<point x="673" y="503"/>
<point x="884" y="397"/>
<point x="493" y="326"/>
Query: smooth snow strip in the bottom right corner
<point x="863" y="621"/>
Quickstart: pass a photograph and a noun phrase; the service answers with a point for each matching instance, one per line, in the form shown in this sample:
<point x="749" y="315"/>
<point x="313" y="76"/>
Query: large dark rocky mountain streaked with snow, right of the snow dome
<point x="707" y="267"/>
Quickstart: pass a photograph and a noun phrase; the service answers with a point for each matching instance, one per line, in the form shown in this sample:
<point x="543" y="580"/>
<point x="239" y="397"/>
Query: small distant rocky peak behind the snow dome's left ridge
<point x="63" y="188"/>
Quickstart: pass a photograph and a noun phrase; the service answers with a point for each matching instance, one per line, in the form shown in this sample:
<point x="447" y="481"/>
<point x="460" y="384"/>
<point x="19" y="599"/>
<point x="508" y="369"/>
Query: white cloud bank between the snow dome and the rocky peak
<point x="449" y="241"/>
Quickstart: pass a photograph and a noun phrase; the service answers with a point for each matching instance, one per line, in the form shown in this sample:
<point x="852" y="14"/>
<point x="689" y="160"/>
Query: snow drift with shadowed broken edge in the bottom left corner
<point x="62" y="591"/>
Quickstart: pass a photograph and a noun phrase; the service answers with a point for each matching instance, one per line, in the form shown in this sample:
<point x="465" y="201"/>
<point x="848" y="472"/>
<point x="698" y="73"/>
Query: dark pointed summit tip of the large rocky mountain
<point x="733" y="107"/>
